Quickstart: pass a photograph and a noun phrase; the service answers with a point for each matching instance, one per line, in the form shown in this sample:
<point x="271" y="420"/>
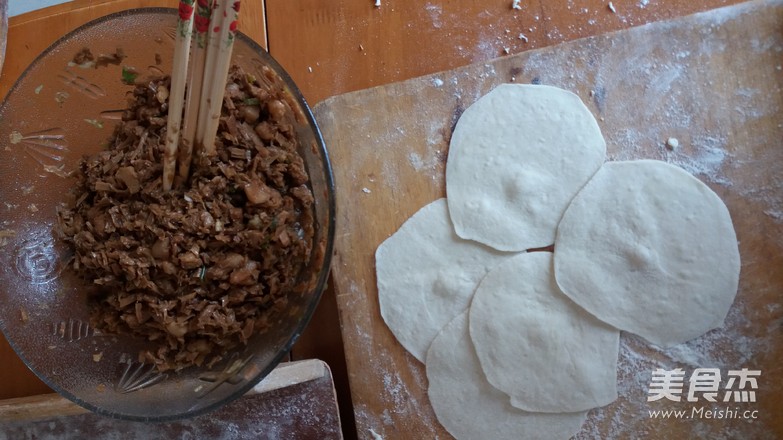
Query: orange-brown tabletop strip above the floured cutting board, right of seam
<point x="336" y="46"/>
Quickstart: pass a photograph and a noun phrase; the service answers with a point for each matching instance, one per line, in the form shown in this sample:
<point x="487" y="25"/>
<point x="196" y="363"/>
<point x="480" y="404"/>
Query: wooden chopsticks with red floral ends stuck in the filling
<point x="206" y="30"/>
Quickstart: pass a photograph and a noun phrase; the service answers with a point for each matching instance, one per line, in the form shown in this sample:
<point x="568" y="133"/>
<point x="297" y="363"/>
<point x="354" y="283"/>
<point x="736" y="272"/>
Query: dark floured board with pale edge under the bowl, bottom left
<point x="296" y="400"/>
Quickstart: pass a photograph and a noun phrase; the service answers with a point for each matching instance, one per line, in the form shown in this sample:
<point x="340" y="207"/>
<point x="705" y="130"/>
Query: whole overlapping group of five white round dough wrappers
<point x="513" y="290"/>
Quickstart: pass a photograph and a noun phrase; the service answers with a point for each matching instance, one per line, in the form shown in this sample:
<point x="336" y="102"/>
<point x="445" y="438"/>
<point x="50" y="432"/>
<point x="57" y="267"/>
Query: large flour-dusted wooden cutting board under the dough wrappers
<point x="712" y="80"/>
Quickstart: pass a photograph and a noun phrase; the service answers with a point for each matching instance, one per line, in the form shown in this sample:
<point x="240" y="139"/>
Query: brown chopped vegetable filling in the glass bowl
<point x="196" y="270"/>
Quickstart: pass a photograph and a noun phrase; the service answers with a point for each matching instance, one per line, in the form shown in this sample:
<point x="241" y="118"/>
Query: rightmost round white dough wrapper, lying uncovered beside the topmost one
<point x="649" y="249"/>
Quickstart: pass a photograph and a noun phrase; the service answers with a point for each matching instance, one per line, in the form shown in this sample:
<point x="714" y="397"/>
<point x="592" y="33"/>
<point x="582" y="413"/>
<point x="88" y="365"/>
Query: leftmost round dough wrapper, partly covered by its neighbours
<point x="427" y="276"/>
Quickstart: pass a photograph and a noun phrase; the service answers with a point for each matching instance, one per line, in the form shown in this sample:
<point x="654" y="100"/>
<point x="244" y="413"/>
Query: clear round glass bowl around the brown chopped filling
<point x="56" y="113"/>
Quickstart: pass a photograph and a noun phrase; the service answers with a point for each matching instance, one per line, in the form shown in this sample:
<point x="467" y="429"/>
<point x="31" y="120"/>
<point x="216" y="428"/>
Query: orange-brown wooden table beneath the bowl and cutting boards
<point x="335" y="46"/>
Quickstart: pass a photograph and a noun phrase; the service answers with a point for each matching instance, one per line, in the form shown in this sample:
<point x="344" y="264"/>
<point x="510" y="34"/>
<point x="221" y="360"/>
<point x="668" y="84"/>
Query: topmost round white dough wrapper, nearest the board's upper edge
<point x="517" y="157"/>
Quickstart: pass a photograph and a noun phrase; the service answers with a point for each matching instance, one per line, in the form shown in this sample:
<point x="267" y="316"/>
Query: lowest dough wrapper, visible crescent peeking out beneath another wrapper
<point x="470" y="408"/>
